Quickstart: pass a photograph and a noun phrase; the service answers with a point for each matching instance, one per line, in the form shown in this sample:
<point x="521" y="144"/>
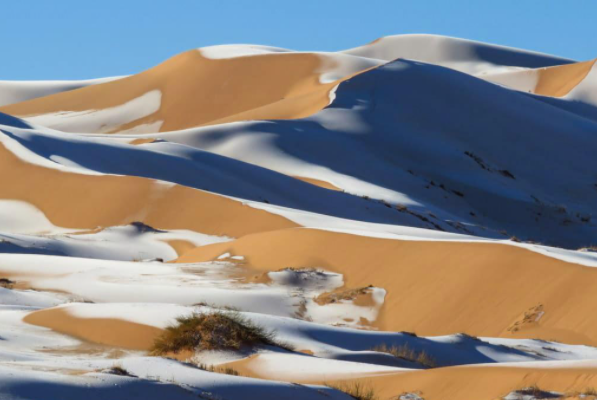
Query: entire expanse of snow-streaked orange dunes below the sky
<point x="381" y="218"/>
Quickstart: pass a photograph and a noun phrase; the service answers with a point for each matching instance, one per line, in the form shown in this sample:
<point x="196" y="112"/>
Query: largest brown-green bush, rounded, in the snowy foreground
<point x="212" y="331"/>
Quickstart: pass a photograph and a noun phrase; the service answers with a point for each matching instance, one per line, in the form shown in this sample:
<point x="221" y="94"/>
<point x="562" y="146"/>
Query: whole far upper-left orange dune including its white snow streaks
<point x="199" y="87"/>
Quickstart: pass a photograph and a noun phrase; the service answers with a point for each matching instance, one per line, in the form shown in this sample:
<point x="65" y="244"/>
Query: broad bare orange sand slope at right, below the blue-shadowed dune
<point x="437" y="288"/>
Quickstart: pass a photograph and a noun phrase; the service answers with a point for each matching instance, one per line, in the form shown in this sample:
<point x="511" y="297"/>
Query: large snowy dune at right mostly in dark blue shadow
<point x="397" y="134"/>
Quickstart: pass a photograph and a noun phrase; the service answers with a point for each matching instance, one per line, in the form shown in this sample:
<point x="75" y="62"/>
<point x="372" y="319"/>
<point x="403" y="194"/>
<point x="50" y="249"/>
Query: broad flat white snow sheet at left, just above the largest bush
<point x="150" y="282"/>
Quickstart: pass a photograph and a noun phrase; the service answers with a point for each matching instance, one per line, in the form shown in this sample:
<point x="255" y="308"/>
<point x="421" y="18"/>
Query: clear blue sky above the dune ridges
<point x="76" y="39"/>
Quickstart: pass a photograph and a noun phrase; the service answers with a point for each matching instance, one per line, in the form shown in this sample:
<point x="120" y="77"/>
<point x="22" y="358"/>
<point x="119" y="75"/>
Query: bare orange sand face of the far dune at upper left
<point x="197" y="91"/>
